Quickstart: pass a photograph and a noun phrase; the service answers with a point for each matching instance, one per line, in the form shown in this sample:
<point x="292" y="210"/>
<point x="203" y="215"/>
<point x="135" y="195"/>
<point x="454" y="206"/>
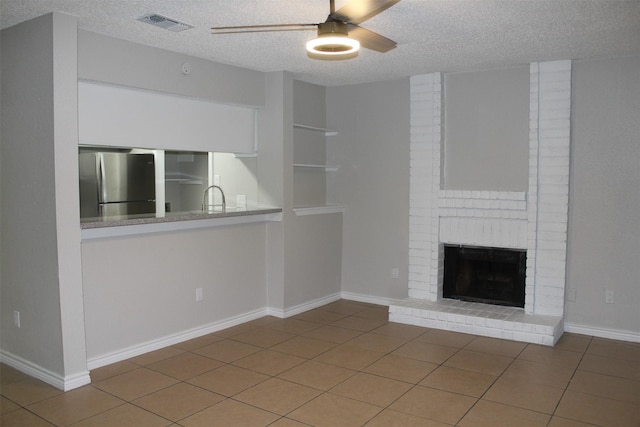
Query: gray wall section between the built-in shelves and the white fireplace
<point x="372" y="149"/>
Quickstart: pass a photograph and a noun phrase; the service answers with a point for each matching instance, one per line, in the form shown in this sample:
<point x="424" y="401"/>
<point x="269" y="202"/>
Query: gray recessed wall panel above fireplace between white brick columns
<point x="487" y="130"/>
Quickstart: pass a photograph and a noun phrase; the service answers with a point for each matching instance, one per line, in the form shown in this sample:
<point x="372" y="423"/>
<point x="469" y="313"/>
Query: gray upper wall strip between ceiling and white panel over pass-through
<point x="120" y="62"/>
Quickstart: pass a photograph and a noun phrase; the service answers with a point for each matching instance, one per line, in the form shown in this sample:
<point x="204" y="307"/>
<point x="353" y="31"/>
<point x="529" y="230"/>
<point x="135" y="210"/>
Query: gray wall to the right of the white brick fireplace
<point x="604" y="232"/>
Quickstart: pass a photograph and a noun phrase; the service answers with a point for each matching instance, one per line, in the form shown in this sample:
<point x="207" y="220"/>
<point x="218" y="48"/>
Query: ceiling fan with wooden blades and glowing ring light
<point x="340" y="36"/>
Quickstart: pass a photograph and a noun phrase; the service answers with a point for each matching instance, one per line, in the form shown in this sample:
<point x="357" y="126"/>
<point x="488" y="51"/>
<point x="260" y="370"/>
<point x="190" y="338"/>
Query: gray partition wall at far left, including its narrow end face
<point x="40" y="252"/>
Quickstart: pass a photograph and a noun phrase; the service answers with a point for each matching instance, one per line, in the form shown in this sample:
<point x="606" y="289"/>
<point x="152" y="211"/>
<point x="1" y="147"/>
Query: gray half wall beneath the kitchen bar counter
<point x="140" y="291"/>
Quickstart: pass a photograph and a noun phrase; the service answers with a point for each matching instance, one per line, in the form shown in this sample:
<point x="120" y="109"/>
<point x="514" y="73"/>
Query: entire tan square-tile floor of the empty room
<point x="344" y="364"/>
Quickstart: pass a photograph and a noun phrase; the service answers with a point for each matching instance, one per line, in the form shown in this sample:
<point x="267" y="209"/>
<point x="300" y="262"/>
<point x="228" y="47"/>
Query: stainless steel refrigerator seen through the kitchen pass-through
<point x="114" y="184"/>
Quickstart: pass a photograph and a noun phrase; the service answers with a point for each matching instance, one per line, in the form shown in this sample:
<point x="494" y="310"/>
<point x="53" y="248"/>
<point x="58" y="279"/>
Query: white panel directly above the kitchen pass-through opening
<point x="124" y="117"/>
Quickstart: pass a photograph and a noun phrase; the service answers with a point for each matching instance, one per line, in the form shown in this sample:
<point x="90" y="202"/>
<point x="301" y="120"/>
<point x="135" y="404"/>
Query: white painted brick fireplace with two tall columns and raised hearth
<point x="535" y="220"/>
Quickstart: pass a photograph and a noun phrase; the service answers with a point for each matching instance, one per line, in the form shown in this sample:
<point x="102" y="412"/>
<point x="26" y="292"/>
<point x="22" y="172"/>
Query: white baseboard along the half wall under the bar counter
<point x="136" y="350"/>
